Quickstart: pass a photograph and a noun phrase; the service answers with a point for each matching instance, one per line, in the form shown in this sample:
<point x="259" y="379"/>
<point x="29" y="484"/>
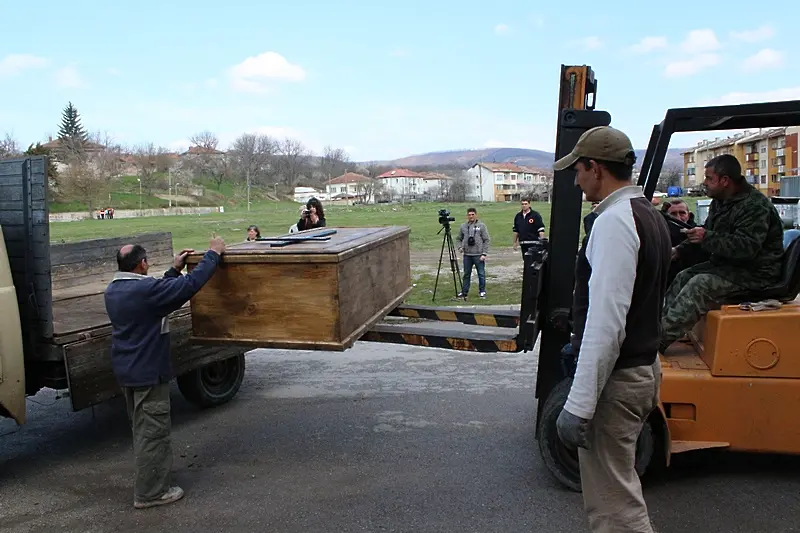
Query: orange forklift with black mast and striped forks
<point x="732" y="384"/>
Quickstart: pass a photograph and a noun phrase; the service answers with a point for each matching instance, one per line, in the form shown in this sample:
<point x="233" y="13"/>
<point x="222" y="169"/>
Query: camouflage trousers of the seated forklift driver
<point x="689" y="298"/>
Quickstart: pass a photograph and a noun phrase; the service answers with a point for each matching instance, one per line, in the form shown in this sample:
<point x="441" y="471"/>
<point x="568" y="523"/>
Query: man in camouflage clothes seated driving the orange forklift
<point x="743" y="237"/>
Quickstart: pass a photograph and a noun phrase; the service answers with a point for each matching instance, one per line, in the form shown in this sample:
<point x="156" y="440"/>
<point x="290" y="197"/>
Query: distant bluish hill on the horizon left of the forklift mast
<point x="520" y="156"/>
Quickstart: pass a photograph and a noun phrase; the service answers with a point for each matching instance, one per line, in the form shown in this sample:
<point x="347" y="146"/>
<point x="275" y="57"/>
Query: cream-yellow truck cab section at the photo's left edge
<point x="12" y="356"/>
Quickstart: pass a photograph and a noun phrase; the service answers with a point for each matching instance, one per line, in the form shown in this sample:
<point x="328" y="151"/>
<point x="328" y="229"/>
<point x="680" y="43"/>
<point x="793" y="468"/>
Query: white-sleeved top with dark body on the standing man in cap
<point x="629" y="253"/>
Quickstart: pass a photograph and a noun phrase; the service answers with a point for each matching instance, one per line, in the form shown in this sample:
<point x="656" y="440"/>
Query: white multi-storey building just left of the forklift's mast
<point x="502" y="182"/>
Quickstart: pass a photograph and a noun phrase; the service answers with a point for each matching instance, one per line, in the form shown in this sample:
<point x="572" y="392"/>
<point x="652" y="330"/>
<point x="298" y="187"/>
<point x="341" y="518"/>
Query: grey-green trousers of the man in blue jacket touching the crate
<point x="149" y="412"/>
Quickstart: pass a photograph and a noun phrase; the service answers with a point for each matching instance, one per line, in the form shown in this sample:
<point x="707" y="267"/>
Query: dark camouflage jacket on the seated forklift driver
<point x="743" y="240"/>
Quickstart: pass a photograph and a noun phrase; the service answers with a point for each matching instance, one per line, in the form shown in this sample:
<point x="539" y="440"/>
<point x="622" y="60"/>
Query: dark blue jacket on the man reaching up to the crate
<point x="138" y="307"/>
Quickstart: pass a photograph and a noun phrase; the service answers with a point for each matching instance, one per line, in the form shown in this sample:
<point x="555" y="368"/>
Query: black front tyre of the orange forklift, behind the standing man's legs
<point x="561" y="461"/>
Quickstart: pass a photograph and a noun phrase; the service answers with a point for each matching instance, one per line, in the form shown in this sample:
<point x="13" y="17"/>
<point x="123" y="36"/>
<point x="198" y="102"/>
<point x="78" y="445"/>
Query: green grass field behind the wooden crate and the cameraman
<point x="503" y="268"/>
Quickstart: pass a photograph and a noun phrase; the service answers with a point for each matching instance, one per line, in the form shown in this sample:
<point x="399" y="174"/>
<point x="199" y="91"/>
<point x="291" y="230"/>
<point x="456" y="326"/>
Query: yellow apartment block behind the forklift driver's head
<point x="766" y="156"/>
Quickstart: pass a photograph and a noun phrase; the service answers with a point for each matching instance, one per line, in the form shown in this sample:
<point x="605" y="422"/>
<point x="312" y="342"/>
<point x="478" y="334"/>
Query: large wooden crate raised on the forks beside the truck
<point x="310" y="295"/>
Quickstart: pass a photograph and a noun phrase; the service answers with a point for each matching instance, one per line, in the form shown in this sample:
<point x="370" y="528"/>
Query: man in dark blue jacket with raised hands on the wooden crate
<point x="138" y="306"/>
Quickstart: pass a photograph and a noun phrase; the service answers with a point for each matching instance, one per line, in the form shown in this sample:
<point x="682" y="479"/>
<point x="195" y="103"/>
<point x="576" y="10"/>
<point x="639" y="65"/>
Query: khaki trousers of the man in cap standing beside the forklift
<point x="612" y="493"/>
